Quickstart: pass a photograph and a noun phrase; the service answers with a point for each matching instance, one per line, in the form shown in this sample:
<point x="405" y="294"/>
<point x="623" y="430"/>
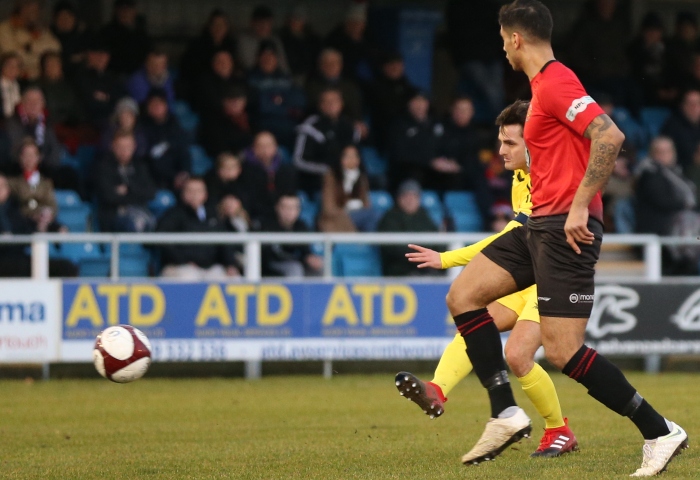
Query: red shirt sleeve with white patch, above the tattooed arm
<point x="569" y="103"/>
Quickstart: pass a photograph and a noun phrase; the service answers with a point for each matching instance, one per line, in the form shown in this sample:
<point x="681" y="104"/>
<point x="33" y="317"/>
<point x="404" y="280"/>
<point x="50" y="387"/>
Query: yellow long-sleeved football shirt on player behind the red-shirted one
<point x="522" y="207"/>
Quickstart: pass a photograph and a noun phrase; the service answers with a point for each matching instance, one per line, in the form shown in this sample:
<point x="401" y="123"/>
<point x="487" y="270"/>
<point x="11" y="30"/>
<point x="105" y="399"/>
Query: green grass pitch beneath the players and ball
<point x="354" y="426"/>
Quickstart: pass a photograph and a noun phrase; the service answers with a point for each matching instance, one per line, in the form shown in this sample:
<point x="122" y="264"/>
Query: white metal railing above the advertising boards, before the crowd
<point x="252" y="242"/>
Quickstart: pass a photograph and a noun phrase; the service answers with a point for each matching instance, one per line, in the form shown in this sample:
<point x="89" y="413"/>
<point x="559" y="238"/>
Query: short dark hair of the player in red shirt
<point x="531" y="17"/>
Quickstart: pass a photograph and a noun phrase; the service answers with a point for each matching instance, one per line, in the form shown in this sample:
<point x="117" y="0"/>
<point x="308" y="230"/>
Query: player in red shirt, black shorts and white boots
<point x="573" y="146"/>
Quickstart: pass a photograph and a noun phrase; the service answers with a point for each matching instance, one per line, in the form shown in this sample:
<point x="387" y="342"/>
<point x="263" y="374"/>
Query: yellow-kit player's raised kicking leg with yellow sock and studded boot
<point x="453" y="367"/>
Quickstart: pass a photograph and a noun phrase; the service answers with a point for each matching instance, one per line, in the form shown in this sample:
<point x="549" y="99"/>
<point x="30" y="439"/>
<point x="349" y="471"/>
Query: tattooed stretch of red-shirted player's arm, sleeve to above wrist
<point x="606" y="140"/>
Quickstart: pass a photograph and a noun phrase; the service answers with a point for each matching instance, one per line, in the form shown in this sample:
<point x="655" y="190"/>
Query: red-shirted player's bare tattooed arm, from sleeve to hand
<point x="606" y="141"/>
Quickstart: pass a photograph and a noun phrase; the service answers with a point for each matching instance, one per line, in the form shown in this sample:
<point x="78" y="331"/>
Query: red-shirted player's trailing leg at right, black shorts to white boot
<point x="566" y="280"/>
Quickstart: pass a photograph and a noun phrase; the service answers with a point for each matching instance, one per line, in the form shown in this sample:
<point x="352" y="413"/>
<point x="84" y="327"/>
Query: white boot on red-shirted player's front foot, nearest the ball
<point x="498" y="435"/>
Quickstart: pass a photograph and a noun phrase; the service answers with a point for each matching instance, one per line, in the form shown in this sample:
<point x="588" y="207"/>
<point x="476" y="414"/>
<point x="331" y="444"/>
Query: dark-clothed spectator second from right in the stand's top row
<point x="647" y="55"/>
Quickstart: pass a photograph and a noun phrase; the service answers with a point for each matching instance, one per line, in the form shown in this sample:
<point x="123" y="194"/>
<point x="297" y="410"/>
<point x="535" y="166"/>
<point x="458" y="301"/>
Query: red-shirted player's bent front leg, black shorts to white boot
<point x="492" y="274"/>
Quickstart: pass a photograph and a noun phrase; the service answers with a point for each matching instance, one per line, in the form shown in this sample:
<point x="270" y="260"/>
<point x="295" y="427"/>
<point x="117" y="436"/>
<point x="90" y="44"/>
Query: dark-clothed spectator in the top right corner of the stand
<point x="681" y="47"/>
